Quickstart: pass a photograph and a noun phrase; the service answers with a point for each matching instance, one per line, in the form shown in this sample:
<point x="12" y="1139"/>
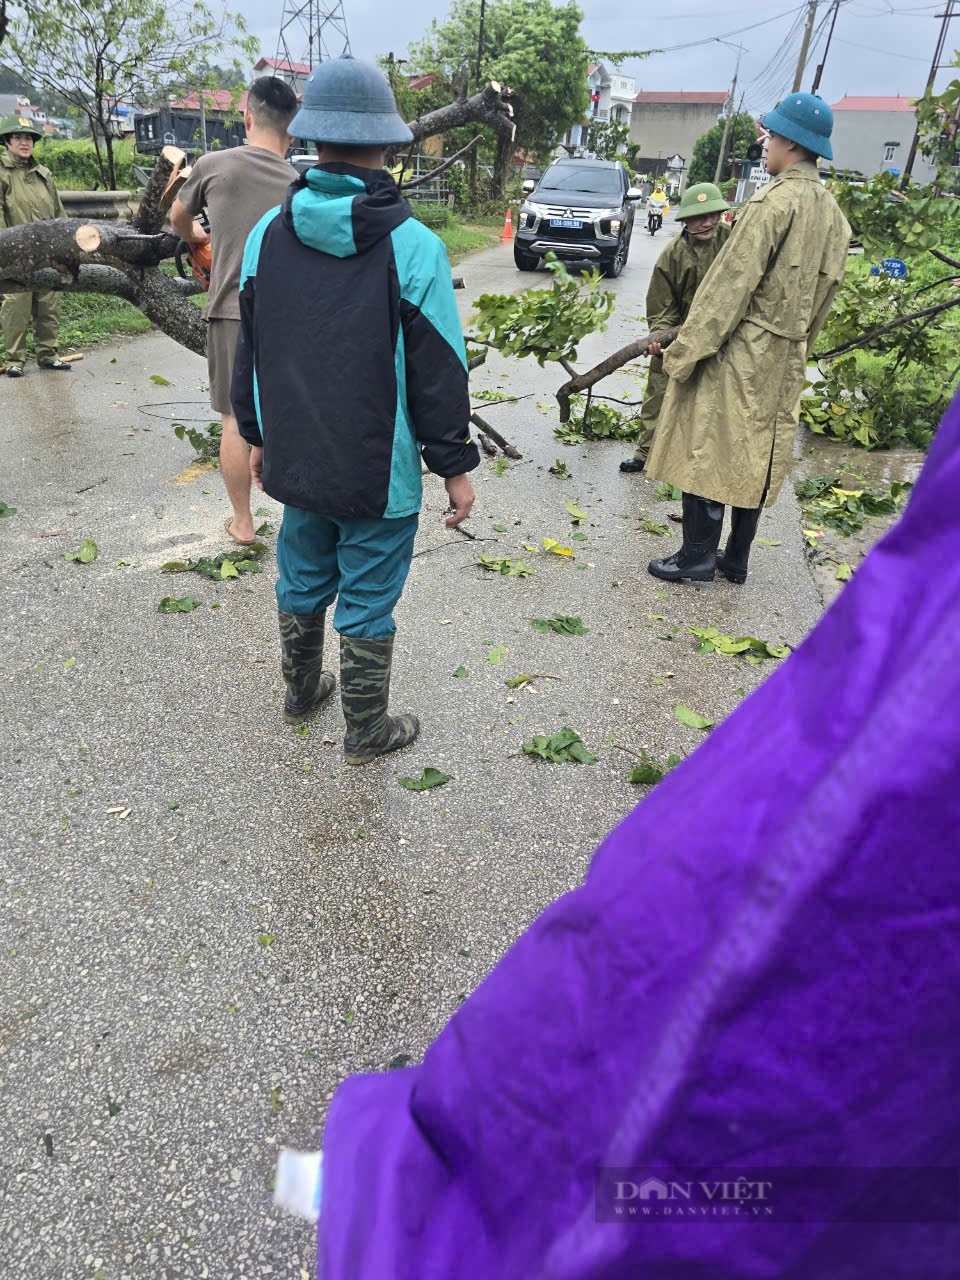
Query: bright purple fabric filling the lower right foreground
<point x="762" y="970"/>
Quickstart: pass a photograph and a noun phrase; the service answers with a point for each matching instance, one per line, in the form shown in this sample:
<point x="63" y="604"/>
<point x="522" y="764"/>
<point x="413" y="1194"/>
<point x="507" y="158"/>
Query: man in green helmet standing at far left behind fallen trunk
<point x="28" y="194"/>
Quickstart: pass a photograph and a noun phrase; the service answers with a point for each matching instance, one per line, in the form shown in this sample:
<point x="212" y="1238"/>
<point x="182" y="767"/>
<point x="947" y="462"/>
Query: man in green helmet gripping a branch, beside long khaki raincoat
<point x="676" y="278"/>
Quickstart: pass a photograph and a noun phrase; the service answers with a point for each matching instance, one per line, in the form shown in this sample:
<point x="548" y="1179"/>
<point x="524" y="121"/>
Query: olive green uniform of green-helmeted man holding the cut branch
<point x="676" y="278"/>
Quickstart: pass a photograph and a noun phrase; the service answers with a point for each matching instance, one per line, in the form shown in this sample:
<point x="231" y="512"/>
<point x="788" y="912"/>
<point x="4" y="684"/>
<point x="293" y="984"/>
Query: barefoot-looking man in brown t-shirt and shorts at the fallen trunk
<point x="237" y="188"/>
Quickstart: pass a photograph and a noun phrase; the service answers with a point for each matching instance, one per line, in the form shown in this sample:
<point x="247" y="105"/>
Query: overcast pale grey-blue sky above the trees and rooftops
<point x="880" y="47"/>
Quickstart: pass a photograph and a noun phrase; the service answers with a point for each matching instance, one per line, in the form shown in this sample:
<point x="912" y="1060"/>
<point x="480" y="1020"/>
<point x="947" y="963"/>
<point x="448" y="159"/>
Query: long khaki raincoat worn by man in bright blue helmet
<point x="737" y="371"/>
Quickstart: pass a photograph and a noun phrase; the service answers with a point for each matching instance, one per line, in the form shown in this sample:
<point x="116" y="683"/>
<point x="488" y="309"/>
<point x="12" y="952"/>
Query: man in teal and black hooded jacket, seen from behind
<point x="350" y="374"/>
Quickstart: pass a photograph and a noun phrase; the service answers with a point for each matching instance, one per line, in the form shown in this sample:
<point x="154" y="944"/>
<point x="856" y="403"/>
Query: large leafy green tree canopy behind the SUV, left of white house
<point x="531" y="47"/>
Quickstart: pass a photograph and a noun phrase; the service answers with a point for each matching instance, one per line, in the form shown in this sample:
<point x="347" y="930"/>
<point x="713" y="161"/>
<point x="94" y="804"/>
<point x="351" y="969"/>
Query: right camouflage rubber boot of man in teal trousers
<point x="365" y="694"/>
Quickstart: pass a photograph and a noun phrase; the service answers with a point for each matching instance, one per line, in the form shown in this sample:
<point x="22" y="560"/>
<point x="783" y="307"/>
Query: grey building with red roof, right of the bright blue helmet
<point x="876" y="134"/>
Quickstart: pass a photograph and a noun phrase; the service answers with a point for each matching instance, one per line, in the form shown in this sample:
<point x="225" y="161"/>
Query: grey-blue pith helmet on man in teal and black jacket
<point x="349" y="103"/>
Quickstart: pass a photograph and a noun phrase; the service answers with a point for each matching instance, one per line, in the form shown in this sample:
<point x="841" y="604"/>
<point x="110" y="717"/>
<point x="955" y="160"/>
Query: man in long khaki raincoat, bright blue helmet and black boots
<point x="737" y="371"/>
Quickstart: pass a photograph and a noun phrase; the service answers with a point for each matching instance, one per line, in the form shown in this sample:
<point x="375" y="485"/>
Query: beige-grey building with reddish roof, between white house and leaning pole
<point x="666" y="125"/>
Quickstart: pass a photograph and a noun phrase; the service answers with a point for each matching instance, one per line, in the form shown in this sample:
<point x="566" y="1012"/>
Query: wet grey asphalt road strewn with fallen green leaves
<point x="184" y="985"/>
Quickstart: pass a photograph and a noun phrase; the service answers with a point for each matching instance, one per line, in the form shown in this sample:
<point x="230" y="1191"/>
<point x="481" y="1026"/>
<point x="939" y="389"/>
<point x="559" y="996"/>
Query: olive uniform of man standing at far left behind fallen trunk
<point x="28" y="194"/>
